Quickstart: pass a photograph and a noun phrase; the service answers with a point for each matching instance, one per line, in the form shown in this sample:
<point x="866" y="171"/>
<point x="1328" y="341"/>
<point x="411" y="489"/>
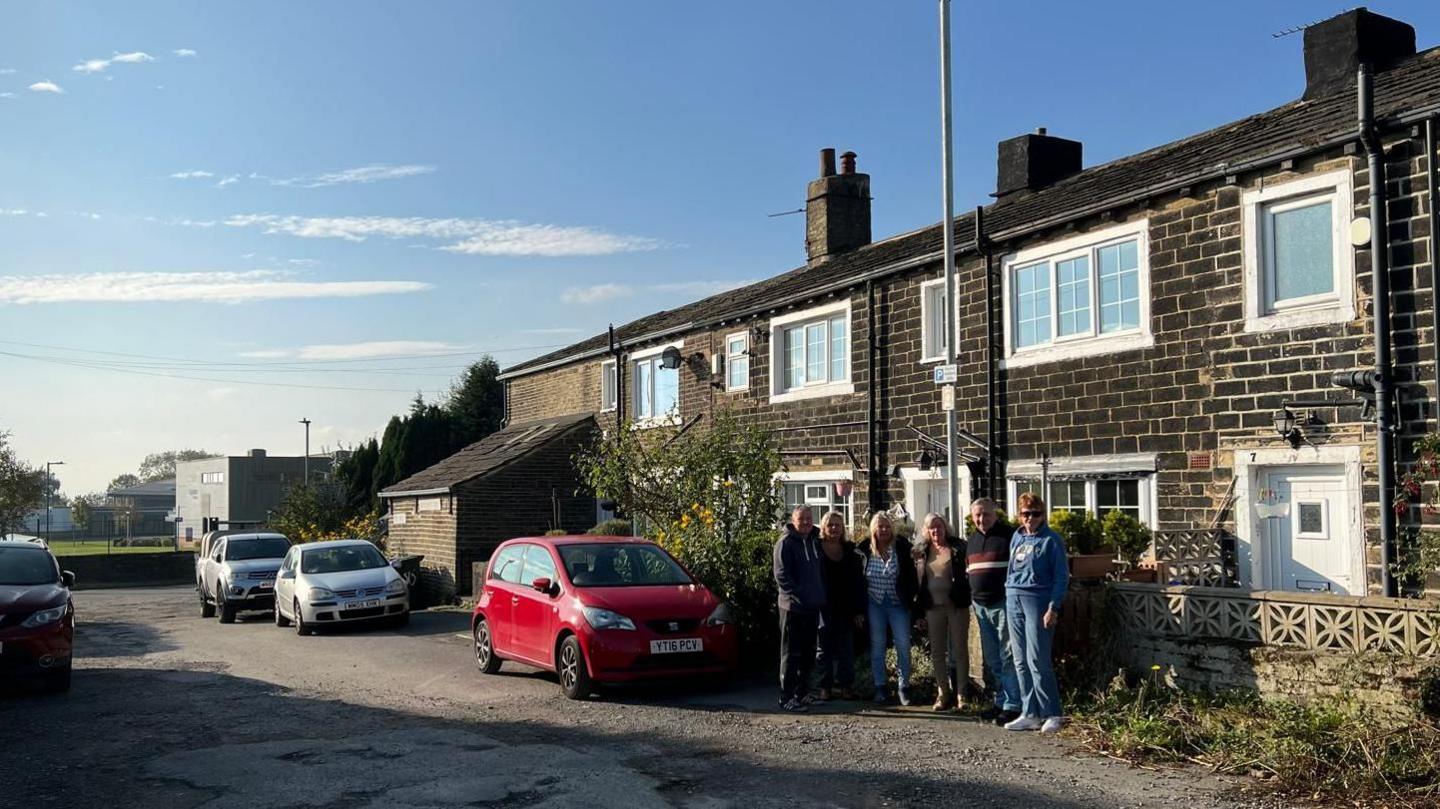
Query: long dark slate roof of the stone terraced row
<point x="1406" y="93"/>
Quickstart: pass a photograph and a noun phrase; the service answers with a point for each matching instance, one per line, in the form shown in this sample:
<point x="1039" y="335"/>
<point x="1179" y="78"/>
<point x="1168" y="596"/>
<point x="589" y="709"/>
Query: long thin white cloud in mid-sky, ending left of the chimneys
<point x="472" y="237"/>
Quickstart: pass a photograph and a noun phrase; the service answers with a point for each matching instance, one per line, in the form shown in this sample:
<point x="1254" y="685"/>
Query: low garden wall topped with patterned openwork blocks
<point x="1297" y="646"/>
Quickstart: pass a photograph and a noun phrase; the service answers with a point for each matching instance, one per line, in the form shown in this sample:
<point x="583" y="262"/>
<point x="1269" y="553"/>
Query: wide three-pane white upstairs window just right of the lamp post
<point x="1079" y="297"/>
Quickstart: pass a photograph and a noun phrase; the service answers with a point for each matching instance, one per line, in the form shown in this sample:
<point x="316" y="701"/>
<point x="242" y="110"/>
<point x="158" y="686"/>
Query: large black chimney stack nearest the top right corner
<point x="1338" y="47"/>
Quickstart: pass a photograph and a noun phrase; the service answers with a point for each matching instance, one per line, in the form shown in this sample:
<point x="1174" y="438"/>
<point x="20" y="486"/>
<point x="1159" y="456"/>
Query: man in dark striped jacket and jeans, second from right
<point x="987" y="556"/>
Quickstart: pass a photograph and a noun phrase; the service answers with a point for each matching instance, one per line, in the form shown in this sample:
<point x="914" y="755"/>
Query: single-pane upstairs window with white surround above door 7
<point x="1300" y="264"/>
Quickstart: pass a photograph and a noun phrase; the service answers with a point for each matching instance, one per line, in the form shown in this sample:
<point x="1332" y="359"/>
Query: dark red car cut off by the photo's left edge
<point x="37" y="615"/>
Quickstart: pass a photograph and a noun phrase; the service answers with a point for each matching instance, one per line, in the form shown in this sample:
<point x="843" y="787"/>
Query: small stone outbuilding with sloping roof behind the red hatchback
<point x="521" y="482"/>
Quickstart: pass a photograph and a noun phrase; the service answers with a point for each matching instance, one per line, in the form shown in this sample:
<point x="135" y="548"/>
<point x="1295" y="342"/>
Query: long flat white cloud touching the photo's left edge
<point x="171" y="287"/>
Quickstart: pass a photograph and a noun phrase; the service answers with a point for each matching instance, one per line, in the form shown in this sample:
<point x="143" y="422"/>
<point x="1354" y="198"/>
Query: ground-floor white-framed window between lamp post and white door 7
<point x="1098" y="484"/>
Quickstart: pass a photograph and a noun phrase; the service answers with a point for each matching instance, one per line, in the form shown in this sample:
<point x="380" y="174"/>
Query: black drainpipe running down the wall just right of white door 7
<point x="1380" y="284"/>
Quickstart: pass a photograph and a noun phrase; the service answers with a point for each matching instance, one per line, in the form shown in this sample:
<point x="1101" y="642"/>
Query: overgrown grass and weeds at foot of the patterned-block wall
<point x="1327" y="751"/>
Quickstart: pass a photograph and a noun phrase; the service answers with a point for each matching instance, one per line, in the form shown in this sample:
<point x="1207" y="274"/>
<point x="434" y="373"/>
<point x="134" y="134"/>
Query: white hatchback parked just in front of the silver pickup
<point x="338" y="582"/>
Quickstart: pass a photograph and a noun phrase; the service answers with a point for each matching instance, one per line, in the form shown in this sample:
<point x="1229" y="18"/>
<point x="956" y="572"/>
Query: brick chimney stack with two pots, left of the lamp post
<point x="837" y="209"/>
